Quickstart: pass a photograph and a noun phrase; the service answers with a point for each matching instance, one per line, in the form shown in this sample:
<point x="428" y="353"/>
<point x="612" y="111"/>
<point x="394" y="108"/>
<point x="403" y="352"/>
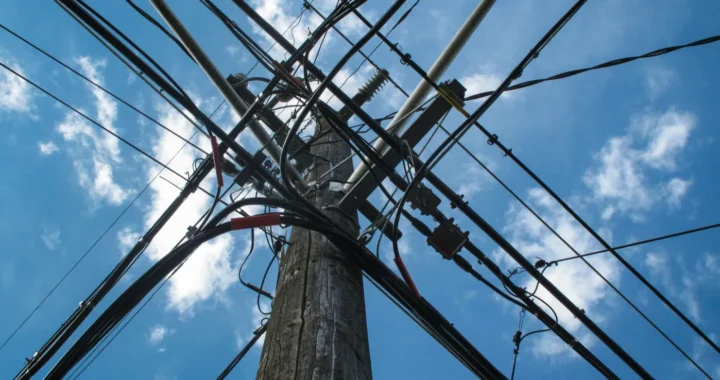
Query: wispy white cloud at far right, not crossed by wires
<point x="621" y="180"/>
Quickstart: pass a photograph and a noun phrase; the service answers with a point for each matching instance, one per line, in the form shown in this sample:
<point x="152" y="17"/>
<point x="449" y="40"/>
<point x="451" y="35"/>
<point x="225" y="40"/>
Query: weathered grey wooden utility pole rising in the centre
<point x="318" y="328"/>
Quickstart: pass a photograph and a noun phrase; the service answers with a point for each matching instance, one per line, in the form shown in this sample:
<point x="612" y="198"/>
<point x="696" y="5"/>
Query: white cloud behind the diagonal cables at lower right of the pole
<point x="574" y="278"/>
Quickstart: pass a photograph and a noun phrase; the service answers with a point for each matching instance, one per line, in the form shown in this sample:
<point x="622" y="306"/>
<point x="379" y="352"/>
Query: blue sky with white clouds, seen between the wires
<point x="632" y="148"/>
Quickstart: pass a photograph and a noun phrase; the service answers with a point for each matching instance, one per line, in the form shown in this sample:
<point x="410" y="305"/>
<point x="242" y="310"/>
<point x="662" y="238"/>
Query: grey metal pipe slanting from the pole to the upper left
<point x="222" y="85"/>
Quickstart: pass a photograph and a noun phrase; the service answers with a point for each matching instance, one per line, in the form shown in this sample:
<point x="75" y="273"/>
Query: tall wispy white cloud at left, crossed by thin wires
<point x="95" y="173"/>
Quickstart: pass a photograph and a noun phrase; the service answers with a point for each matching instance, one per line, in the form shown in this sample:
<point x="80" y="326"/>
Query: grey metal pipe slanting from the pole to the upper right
<point x="423" y="88"/>
